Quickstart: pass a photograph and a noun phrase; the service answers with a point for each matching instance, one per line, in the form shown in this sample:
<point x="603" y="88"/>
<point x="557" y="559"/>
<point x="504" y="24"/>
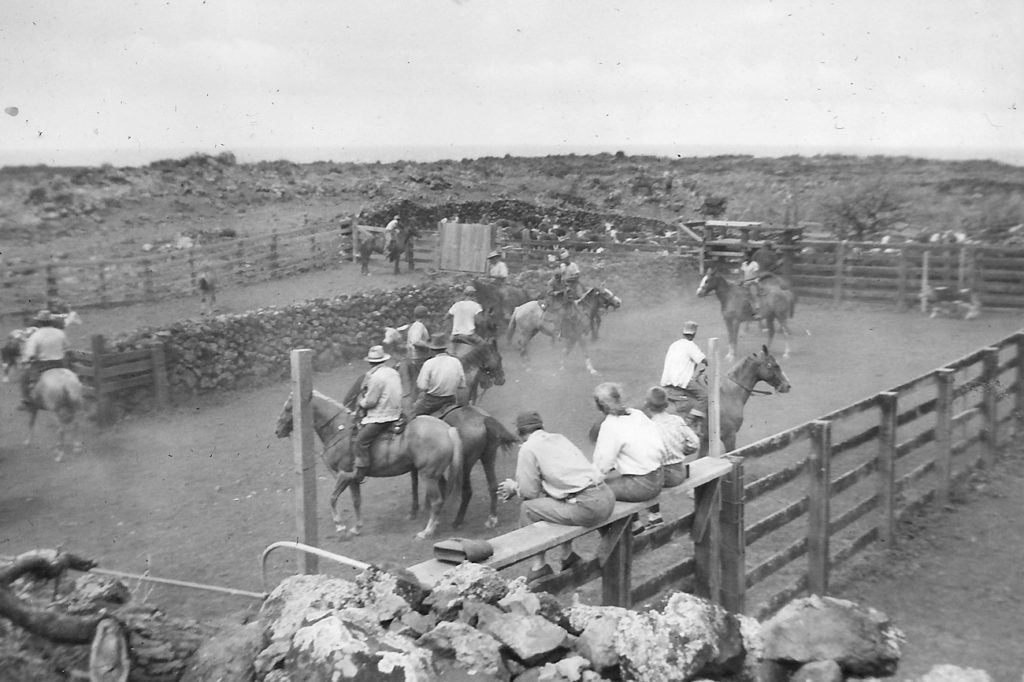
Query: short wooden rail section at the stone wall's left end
<point x="106" y="374"/>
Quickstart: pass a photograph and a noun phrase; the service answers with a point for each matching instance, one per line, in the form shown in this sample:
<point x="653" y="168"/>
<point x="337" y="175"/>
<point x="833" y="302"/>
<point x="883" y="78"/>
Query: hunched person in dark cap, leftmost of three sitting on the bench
<point x="558" y="484"/>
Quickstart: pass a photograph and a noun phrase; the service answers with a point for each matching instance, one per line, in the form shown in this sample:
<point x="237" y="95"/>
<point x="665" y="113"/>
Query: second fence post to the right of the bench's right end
<point x="819" y="517"/>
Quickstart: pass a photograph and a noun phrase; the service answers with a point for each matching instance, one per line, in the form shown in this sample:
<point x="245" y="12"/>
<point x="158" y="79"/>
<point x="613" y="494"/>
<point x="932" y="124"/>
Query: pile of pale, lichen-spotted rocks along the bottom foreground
<point x="477" y="626"/>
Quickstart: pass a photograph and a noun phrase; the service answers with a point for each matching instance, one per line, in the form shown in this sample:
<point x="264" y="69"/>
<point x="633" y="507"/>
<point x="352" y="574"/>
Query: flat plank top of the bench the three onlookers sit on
<point x="522" y="544"/>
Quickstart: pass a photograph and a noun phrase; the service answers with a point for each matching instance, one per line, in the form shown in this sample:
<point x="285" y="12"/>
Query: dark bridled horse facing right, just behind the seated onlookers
<point x="737" y="388"/>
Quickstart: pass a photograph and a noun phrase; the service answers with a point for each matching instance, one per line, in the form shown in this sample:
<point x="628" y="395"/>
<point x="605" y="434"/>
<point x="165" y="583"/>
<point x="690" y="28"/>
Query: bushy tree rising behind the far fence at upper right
<point x="865" y="209"/>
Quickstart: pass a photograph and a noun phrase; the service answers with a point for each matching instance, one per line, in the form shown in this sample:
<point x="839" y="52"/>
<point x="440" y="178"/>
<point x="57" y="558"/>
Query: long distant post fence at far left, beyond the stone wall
<point x="160" y="275"/>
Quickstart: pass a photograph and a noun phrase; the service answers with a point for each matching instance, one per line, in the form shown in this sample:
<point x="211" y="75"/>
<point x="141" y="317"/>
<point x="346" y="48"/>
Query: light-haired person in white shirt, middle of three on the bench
<point x="629" y="451"/>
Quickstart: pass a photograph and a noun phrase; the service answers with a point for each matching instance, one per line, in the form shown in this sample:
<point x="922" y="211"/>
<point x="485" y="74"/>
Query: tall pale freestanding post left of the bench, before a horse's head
<point x="303" y="453"/>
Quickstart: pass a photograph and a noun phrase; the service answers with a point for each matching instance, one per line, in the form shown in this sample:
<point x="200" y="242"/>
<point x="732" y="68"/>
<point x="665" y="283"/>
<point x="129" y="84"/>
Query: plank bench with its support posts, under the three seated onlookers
<point x="615" y="552"/>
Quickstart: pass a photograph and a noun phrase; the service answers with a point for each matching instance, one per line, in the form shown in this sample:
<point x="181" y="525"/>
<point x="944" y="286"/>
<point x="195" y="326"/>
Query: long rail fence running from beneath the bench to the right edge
<point x="796" y="506"/>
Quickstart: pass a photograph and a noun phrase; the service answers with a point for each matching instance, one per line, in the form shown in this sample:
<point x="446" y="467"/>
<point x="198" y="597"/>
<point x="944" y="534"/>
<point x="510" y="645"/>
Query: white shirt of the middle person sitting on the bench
<point x="630" y="444"/>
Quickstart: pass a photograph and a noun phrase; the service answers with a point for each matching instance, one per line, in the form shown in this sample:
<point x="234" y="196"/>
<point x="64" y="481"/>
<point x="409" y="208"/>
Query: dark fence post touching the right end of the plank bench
<point x="734" y="545"/>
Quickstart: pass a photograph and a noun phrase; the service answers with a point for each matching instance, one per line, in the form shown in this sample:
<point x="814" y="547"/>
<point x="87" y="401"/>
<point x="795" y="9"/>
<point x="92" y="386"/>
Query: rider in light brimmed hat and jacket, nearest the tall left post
<point x="379" y="405"/>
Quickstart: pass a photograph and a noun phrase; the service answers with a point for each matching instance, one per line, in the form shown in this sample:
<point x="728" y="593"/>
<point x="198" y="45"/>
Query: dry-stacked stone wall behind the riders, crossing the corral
<point x="235" y="352"/>
